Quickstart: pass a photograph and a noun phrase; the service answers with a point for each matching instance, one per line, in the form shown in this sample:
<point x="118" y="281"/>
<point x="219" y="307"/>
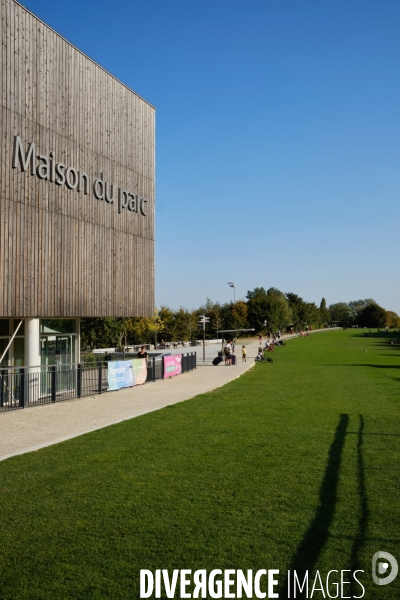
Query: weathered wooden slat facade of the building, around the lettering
<point x="64" y="253"/>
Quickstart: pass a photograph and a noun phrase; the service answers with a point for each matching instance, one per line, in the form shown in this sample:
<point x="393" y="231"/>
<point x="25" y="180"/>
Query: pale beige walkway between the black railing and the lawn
<point x="37" y="427"/>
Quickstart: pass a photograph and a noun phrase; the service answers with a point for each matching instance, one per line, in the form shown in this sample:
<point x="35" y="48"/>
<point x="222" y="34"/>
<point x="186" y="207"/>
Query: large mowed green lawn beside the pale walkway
<point x="295" y="465"/>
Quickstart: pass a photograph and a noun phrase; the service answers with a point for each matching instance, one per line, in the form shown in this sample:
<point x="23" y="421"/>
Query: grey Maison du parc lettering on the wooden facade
<point x="57" y="172"/>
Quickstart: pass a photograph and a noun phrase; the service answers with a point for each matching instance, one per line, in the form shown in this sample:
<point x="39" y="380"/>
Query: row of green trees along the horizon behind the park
<point x="263" y="310"/>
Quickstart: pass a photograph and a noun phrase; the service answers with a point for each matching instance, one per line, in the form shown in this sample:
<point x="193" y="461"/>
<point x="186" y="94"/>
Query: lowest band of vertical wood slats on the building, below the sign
<point x="22" y="222"/>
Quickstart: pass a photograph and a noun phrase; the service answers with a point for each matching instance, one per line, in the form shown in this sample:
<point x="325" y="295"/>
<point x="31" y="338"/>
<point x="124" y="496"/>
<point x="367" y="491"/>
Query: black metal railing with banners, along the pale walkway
<point x="21" y="387"/>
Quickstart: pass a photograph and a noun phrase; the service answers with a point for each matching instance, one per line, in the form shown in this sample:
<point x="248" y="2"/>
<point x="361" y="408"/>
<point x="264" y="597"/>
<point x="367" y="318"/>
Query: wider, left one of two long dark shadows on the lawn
<point x="316" y="536"/>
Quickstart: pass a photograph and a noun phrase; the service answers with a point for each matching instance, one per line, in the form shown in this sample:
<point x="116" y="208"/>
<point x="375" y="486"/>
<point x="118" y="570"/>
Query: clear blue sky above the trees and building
<point x="278" y="139"/>
